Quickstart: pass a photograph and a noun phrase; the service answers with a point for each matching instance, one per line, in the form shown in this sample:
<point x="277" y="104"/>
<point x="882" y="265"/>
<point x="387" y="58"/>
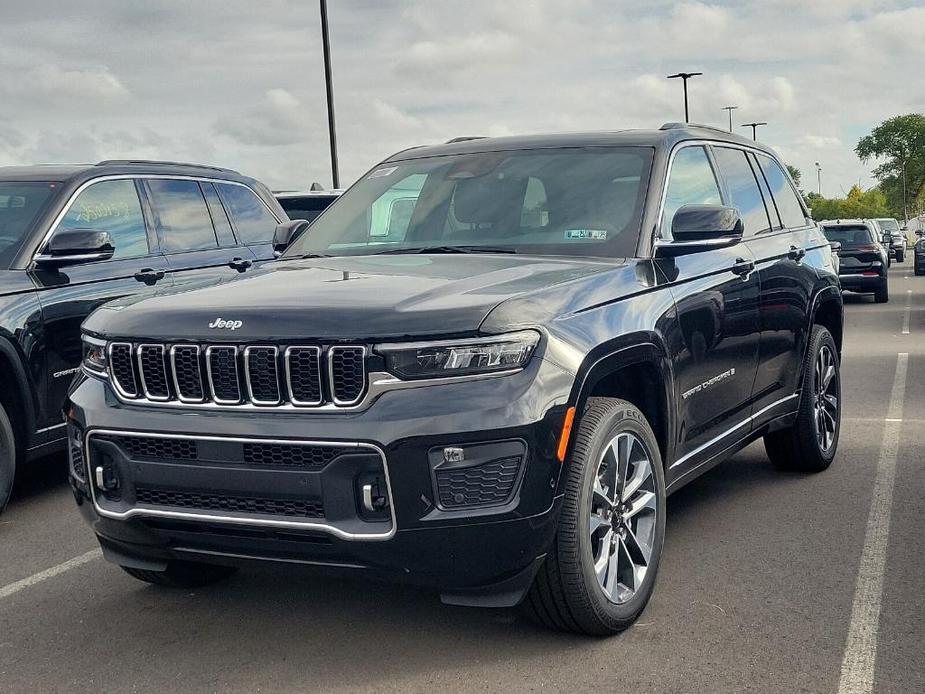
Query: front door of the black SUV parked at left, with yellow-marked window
<point x="68" y="294"/>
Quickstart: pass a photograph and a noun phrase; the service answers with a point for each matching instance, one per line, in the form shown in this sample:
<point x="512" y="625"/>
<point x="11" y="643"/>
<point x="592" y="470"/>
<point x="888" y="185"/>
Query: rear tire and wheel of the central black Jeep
<point x="801" y="447"/>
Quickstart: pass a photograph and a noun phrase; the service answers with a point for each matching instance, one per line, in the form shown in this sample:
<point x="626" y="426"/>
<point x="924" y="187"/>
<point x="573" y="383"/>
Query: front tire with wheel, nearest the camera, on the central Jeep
<point x="567" y="594"/>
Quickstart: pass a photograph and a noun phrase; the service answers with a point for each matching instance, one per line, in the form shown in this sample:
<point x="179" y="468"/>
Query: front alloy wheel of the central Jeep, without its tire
<point x="623" y="517"/>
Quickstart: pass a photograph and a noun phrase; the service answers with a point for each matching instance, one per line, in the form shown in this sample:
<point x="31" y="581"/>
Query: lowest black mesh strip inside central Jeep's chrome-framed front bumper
<point x="298" y="508"/>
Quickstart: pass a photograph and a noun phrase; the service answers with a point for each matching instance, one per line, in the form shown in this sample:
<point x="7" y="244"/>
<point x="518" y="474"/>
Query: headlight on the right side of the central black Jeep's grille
<point x="460" y="357"/>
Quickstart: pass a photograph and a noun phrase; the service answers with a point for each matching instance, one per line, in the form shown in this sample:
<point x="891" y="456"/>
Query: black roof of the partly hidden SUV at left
<point x="65" y="172"/>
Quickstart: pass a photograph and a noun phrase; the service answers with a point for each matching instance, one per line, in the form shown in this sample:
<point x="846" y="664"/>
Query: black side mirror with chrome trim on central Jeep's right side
<point x="697" y="228"/>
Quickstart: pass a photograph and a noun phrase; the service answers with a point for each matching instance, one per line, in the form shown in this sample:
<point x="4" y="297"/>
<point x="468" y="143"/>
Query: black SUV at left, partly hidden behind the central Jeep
<point x="73" y="237"/>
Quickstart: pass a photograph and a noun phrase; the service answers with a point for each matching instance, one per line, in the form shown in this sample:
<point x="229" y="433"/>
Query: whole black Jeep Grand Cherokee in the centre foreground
<point x="481" y="370"/>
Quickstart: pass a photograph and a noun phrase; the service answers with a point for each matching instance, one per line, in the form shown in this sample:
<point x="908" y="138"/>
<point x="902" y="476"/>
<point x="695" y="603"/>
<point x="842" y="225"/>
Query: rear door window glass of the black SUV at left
<point x="181" y="216"/>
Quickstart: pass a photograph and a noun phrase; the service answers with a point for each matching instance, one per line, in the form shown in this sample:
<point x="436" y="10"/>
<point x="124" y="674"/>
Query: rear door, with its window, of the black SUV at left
<point x="194" y="233"/>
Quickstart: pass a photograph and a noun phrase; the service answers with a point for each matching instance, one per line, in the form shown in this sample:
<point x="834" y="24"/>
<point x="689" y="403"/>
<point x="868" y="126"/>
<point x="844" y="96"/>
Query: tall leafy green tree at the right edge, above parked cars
<point x="900" y="142"/>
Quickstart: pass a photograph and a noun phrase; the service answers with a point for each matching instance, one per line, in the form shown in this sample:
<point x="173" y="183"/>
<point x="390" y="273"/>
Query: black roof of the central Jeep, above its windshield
<point x="666" y="136"/>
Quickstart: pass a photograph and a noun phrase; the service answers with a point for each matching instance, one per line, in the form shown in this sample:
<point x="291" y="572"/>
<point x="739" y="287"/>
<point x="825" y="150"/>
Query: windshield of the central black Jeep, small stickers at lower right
<point x="569" y="201"/>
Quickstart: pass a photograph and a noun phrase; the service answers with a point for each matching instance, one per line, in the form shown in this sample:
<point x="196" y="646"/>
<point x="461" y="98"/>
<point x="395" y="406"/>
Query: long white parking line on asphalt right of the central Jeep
<point x="857" y="668"/>
